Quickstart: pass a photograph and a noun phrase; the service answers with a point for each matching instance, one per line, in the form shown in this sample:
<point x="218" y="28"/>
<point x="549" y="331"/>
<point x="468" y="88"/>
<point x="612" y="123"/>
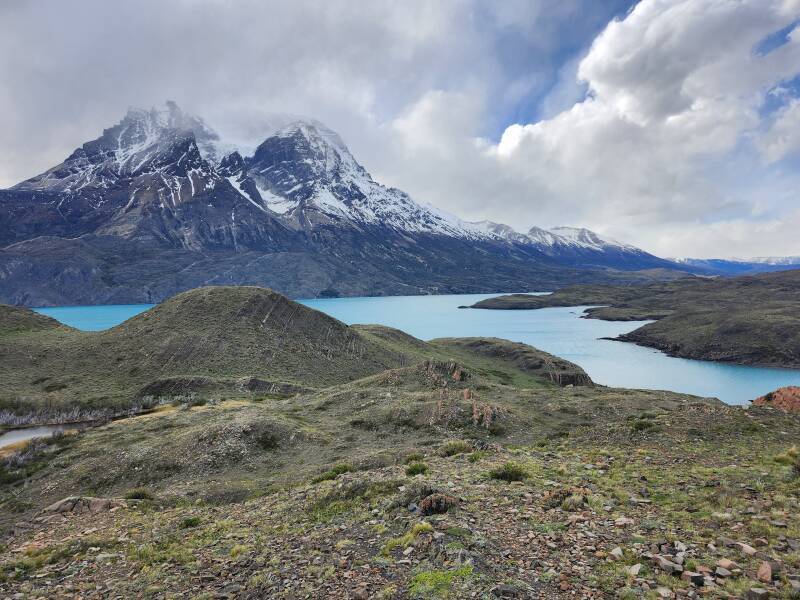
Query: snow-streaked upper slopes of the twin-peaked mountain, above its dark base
<point x="301" y="175"/>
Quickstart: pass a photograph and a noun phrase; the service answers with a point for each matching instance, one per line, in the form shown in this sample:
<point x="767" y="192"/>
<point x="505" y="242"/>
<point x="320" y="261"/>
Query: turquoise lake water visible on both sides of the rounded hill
<point x="559" y="331"/>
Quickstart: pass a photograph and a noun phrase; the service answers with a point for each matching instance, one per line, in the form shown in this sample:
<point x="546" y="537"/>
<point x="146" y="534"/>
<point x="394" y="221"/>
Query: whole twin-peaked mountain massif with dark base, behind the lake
<point x="155" y="206"/>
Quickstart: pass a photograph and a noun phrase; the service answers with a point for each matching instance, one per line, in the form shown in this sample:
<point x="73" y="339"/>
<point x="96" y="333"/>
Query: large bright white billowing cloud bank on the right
<point x="660" y="153"/>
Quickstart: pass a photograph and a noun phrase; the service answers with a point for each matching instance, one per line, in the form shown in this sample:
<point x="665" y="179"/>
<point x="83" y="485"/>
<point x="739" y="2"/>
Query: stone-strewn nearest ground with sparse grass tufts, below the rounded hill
<point x="622" y="513"/>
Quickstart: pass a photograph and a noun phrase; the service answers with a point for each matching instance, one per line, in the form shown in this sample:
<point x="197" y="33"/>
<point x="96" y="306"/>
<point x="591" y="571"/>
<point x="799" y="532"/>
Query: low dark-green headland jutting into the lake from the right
<point x="748" y="320"/>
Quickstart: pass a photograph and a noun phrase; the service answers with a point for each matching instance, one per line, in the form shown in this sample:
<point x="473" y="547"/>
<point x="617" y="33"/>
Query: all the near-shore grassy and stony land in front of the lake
<point x="263" y="449"/>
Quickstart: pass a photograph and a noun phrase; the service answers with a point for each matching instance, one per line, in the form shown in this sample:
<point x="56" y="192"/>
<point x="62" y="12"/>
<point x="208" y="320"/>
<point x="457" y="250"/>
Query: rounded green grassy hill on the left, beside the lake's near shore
<point x="208" y="343"/>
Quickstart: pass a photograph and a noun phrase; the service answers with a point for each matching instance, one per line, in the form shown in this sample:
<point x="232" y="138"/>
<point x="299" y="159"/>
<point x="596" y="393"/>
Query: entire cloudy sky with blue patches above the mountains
<point x="673" y="125"/>
